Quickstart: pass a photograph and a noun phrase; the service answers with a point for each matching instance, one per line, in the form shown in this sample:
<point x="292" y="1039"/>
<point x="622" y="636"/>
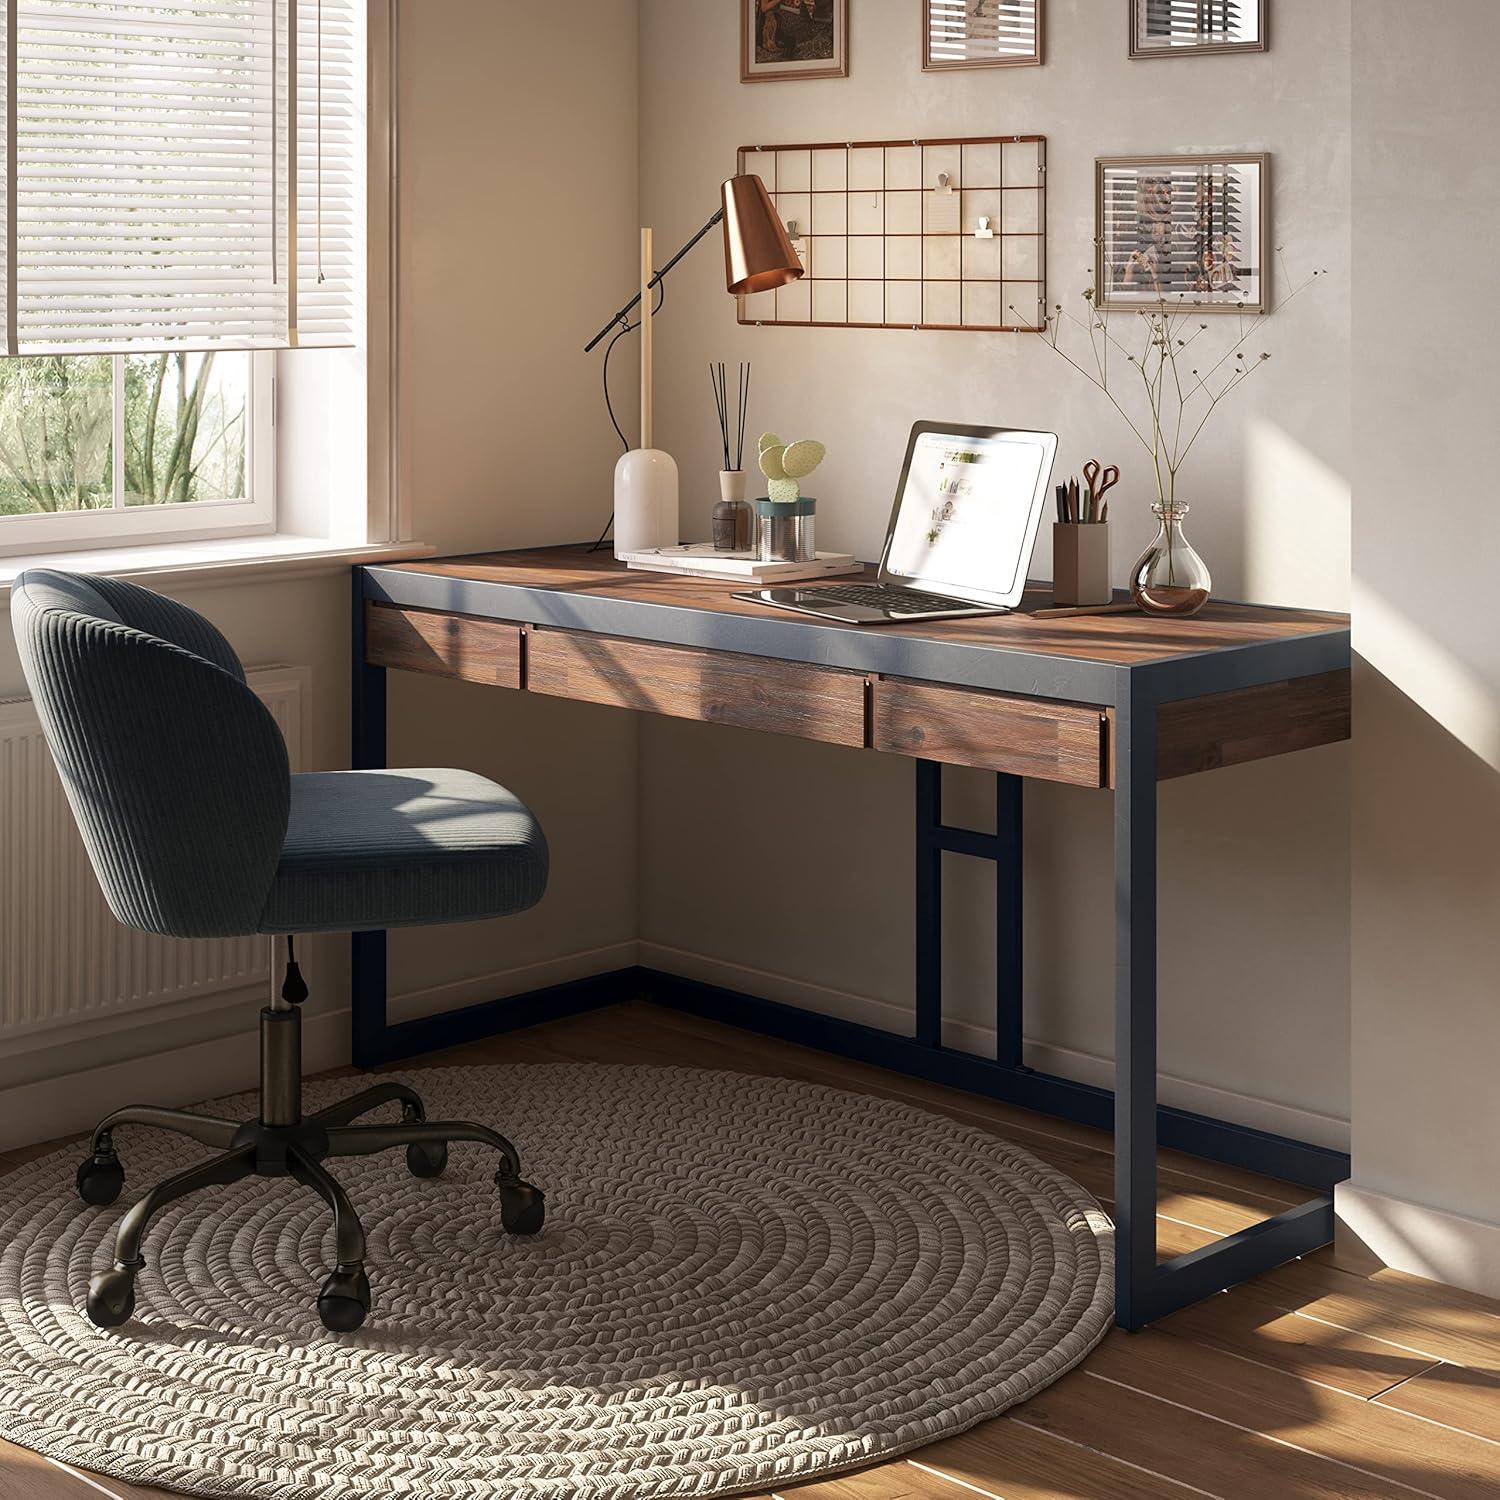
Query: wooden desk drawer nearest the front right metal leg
<point x="964" y="727"/>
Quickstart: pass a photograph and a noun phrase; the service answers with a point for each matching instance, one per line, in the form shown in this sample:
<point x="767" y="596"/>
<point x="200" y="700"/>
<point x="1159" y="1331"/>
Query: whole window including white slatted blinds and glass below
<point x="179" y="196"/>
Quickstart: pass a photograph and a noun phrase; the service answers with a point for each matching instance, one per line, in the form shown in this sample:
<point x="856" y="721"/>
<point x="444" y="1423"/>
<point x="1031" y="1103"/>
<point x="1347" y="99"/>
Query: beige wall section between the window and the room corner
<point x="518" y="227"/>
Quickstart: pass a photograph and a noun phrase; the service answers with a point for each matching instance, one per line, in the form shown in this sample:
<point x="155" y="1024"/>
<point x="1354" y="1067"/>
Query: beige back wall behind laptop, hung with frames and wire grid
<point x="1255" y="860"/>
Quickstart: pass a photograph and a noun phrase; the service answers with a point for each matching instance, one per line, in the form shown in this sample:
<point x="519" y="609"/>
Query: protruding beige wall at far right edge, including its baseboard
<point x="1427" y="748"/>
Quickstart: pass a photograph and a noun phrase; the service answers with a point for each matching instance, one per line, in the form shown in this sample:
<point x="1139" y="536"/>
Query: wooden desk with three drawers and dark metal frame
<point x="1115" y="703"/>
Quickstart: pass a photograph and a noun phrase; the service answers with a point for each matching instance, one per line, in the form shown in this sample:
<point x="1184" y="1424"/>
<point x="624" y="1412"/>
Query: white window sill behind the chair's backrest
<point x="223" y="560"/>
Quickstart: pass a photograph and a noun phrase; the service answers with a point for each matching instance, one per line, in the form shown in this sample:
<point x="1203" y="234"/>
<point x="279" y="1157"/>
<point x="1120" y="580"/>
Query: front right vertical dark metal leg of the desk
<point x="1135" y="1009"/>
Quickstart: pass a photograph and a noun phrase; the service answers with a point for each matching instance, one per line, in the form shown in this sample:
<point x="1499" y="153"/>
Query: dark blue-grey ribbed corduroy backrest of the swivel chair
<point x="176" y="772"/>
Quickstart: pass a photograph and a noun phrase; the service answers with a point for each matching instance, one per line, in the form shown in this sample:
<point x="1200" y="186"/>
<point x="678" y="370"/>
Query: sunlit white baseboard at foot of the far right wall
<point x="1421" y="1241"/>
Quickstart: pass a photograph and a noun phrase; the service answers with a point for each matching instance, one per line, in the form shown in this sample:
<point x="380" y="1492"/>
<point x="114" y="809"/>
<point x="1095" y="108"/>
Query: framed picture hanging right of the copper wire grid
<point x="1184" y="232"/>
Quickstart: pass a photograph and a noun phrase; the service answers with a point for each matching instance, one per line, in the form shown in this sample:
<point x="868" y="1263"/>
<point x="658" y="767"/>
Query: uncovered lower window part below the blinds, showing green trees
<point x="98" y="448"/>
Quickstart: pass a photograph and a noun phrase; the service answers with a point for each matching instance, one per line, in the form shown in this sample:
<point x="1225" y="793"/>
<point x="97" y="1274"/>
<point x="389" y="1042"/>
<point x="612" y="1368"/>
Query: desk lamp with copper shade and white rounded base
<point x="758" y="257"/>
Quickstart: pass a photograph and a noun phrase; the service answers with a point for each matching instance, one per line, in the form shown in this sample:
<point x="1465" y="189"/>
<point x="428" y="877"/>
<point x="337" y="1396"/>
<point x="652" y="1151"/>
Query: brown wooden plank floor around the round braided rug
<point x="1310" y="1382"/>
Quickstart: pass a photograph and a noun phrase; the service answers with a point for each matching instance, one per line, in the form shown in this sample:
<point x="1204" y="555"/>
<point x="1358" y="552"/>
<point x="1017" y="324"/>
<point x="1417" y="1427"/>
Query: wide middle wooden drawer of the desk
<point x="719" y="688"/>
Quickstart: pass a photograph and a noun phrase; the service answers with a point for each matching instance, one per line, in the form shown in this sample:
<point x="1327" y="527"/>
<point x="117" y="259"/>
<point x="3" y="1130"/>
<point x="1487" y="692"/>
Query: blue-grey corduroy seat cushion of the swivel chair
<point x="401" y="850"/>
